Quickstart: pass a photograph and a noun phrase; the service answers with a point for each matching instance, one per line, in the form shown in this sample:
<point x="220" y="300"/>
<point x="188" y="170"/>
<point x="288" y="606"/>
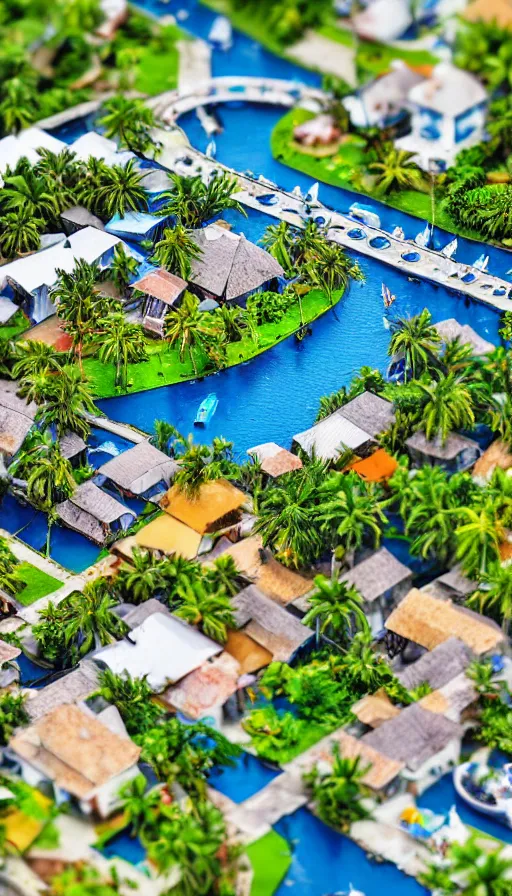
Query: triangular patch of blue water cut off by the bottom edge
<point x="324" y="862"/>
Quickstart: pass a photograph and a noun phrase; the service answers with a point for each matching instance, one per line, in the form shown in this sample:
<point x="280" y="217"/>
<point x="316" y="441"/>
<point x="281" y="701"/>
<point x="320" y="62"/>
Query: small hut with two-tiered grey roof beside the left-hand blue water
<point x="94" y="513"/>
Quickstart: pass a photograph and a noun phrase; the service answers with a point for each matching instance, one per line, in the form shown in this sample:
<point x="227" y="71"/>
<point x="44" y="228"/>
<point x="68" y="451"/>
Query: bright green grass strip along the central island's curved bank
<point x="164" y="367"/>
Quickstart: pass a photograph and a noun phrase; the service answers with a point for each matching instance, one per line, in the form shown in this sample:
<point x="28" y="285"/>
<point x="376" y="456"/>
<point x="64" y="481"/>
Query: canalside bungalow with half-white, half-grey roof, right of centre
<point x="354" y="426"/>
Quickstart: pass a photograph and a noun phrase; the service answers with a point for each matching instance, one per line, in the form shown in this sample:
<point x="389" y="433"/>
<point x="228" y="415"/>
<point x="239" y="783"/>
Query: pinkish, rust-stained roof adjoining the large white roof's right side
<point x="208" y="687"/>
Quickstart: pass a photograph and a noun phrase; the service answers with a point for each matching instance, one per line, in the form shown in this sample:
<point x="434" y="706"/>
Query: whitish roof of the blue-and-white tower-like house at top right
<point x="450" y="91"/>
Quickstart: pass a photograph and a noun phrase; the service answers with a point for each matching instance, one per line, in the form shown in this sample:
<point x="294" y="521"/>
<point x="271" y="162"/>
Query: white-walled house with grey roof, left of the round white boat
<point x="426" y="742"/>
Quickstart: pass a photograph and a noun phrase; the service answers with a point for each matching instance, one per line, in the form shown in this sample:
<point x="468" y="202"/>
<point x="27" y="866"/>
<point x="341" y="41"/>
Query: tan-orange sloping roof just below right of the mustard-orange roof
<point x="272" y="578"/>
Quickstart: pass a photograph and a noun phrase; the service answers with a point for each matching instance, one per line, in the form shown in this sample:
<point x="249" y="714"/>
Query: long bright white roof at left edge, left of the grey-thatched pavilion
<point x="37" y="270"/>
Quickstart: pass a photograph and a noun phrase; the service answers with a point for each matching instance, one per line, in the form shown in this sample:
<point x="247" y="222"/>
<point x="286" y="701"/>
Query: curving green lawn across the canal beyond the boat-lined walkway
<point x="336" y="170"/>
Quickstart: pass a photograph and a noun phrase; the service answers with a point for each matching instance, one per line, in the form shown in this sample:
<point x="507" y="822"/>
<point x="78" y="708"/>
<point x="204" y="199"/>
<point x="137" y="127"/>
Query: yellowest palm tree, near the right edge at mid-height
<point x="478" y="539"/>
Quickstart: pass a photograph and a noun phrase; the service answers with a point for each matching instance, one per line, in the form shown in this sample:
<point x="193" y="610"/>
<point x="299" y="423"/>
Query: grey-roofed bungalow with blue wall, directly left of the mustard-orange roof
<point x="141" y="472"/>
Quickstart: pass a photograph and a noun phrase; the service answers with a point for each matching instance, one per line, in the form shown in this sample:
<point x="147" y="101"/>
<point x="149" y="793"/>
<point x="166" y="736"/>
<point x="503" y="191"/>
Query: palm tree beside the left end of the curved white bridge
<point x="130" y="121"/>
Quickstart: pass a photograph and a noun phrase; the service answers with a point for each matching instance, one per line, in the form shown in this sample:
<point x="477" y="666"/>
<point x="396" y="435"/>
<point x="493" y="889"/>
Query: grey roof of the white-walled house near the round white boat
<point x="414" y="736"/>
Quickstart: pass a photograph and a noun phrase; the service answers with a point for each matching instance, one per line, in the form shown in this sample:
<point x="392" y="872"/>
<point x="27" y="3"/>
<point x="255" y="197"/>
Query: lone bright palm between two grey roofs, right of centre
<point x="336" y="606"/>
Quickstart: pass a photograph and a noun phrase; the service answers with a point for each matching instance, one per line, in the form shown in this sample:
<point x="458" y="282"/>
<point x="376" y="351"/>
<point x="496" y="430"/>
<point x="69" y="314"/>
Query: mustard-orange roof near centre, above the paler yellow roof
<point x="213" y="507"/>
